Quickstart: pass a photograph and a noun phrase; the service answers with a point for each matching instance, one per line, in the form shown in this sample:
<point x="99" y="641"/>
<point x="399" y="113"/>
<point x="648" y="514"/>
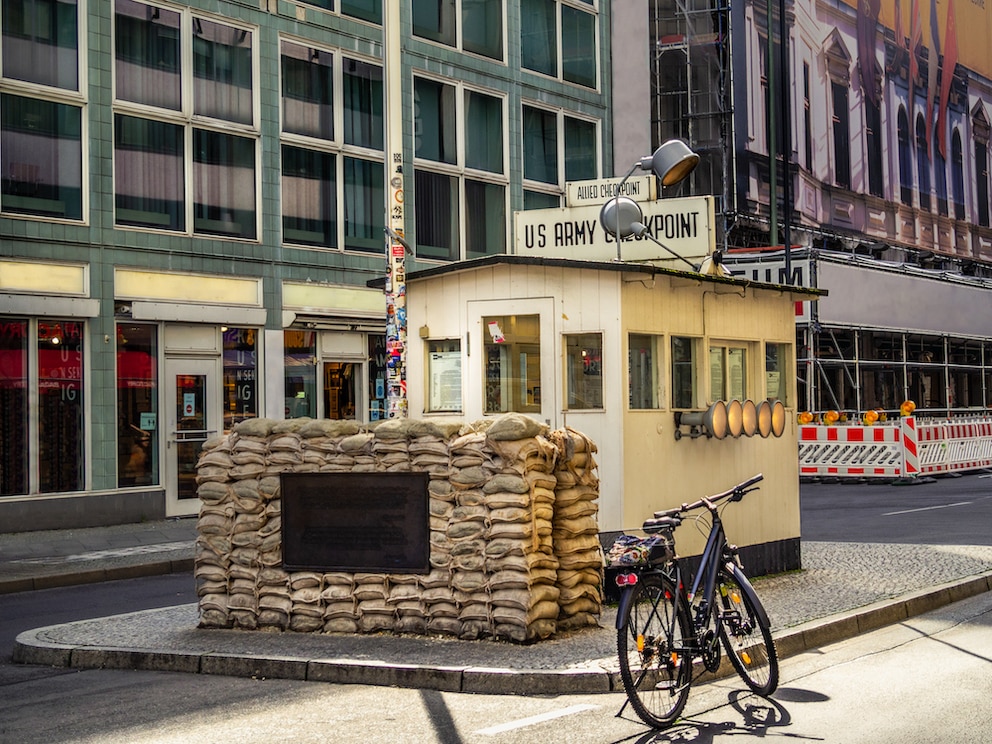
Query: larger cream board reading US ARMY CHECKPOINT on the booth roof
<point x="684" y="225"/>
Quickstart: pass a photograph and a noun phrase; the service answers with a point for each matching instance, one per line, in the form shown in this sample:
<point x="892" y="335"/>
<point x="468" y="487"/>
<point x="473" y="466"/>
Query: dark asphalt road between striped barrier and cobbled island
<point x="944" y="511"/>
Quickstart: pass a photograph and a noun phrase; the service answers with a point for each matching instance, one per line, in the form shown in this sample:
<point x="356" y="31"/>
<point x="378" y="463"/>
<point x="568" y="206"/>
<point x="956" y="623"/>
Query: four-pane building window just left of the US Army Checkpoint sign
<point x="460" y="176"/>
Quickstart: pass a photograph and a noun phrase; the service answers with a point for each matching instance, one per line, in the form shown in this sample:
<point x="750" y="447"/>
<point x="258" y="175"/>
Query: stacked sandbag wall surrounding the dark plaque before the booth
<point x="514" y="546"/>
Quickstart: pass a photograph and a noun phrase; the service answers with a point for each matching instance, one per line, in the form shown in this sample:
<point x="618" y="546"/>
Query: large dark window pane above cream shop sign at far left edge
<point x="41" y="158"/>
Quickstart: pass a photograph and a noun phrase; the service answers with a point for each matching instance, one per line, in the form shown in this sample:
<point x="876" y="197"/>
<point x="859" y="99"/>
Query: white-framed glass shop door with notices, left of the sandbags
<point x="193" y="417"/>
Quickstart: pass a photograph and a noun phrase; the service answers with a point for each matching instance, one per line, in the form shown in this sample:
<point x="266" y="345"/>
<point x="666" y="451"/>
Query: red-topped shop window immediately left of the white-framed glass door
<point x="137" y="405"/>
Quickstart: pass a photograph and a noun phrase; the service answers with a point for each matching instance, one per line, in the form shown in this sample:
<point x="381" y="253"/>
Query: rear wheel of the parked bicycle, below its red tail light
<point x="655" y="658"/>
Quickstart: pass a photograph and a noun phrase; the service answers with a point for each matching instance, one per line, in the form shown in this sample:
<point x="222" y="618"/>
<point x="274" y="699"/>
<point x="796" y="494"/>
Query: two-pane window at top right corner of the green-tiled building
<point x="545" y="22"/>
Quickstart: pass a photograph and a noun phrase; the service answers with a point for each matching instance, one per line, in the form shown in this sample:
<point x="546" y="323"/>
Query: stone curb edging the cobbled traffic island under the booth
<point x="596" y="678"/>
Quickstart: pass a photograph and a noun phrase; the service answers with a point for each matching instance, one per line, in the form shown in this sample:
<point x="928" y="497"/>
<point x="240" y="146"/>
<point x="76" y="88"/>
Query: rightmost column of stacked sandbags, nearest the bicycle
<point x="576" y="531"/>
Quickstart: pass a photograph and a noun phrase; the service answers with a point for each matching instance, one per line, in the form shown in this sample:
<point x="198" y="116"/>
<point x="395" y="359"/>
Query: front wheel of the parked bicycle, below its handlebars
<point x="746" y="634"/>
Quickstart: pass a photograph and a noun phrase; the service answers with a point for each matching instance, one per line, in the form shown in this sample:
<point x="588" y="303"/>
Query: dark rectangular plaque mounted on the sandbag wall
<point x="355" y="522"/>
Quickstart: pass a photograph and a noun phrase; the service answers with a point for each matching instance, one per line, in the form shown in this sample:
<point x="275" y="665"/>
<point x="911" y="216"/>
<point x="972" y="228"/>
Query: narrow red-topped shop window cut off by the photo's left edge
<point x="13" y="407"/>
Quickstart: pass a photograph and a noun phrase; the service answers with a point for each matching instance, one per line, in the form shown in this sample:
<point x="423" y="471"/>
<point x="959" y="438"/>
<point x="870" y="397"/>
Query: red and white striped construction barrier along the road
<point x="904" y="449"/>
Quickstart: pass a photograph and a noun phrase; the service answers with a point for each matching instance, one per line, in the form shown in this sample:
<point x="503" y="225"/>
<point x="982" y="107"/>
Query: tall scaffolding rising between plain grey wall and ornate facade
<point x="692" y="93"/>
